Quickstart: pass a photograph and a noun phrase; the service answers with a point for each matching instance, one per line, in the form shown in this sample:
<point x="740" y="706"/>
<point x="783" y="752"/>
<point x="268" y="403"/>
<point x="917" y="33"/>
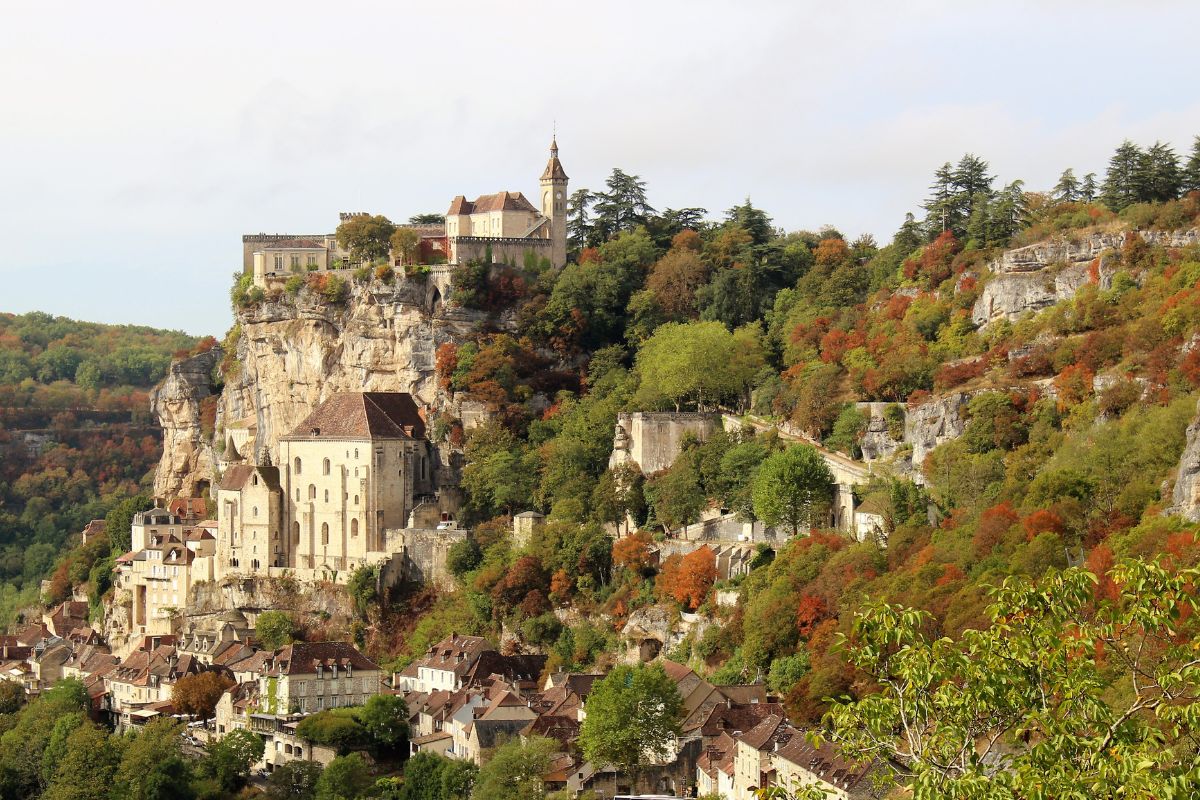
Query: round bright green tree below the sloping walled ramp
<point x="794" y="488"/>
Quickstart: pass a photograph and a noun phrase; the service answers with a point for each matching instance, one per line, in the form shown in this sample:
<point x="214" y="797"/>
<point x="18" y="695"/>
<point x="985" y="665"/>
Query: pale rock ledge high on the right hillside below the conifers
<point x="1034" y="278"/>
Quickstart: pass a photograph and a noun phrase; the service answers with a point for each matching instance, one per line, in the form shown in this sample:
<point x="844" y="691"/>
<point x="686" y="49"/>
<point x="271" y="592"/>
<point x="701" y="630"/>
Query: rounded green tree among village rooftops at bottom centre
<point x="633" y="719"/>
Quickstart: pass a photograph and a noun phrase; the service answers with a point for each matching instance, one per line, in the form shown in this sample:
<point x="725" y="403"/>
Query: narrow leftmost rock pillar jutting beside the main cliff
<point x="187" y="467"/>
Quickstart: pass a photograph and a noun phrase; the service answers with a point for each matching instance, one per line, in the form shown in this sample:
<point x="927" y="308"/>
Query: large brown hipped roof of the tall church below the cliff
<point x="363" y="416"/>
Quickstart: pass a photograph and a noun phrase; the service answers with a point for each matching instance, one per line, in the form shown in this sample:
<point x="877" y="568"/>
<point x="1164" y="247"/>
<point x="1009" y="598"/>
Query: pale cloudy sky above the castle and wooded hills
<point x="140" y="141"/>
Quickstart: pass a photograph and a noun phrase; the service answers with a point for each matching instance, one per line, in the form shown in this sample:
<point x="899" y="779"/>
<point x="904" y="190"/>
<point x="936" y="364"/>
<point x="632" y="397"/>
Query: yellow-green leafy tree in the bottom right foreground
<point x="1060" y="695"/>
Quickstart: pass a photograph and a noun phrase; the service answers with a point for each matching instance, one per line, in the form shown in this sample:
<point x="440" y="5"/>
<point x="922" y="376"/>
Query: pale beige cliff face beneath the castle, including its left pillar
<point x="293" y="354"/>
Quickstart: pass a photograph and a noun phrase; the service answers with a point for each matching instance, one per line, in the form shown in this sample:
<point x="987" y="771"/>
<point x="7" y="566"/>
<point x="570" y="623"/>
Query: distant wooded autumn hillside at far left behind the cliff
<point x="76" y="437"/>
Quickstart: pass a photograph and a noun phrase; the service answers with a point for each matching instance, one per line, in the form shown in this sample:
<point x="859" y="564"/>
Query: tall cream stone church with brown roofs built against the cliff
<point x="358" y="467"/>
